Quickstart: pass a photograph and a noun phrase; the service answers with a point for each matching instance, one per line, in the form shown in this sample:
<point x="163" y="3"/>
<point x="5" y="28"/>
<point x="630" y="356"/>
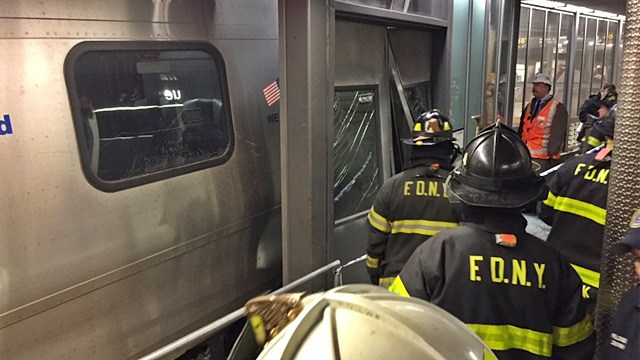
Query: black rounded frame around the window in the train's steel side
<point x="71" y="78"/>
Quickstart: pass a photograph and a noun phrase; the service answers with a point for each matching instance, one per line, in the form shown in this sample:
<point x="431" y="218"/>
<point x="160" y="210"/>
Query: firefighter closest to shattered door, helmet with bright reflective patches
<point x="412" y="205"/>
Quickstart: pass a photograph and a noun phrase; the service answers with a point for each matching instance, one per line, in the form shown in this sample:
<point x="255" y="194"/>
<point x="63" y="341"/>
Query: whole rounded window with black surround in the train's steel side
<point x="146" y="111"/>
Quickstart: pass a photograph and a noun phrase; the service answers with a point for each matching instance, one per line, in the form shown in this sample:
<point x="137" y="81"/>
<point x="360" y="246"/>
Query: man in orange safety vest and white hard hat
<point x="543" y="125"/>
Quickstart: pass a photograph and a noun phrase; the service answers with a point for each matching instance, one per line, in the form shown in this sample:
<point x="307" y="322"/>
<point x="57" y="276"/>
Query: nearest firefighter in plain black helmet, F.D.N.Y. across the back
<point x="514" y="290"/>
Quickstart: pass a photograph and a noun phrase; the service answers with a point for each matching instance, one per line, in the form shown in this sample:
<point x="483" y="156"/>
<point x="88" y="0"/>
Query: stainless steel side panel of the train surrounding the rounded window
<point x="90" y="274"/>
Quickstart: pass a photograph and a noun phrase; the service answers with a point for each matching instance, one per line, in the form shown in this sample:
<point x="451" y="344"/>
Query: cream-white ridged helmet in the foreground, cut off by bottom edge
<point x="369" y="322"/>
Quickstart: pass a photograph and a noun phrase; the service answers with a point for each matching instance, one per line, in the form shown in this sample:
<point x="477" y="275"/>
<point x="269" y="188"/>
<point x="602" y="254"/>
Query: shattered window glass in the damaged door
<point x="355" y="151"/>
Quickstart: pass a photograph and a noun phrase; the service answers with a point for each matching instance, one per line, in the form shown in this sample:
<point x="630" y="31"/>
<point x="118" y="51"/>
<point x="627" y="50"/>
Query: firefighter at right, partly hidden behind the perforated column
<point x="576" y="210"/>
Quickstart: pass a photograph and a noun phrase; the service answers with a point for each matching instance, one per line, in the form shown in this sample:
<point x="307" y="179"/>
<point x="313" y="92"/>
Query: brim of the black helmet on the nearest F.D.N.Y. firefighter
<point x="498" y="199"/>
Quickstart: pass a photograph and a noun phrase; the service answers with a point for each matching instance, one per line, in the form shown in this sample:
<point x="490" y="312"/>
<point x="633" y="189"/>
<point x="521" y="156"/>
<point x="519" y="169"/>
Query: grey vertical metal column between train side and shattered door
<point x="306" y="123"/>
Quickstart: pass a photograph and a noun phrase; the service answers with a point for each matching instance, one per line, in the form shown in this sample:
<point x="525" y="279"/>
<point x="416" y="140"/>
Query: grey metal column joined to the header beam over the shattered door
<point x="307" y="55"/>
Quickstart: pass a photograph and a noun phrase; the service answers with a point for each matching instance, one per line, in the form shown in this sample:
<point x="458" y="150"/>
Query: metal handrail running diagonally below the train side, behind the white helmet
<point x="207" y="331"/>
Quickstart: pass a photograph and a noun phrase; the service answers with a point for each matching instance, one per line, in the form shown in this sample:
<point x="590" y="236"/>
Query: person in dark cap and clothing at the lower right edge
<point x="624" y="338"/>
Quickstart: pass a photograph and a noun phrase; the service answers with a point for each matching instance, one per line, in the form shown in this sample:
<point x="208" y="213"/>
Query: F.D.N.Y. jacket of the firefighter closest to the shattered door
<point x="409" y="208"/>
